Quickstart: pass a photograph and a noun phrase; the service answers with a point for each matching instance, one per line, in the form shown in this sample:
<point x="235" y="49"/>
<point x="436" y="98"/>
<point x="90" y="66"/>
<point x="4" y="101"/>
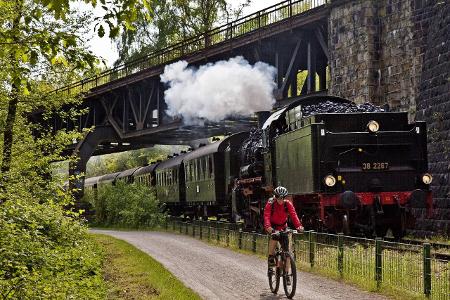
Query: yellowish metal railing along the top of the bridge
<point x="234" y="29"/>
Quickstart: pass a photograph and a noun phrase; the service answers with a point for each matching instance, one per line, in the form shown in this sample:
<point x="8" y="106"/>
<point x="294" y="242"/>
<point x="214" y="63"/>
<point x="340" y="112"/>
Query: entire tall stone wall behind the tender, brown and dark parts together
<point x="396" y="52"/>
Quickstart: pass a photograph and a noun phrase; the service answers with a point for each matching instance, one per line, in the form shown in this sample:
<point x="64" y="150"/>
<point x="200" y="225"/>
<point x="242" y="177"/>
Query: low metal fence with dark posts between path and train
<point x="375" y="264"/>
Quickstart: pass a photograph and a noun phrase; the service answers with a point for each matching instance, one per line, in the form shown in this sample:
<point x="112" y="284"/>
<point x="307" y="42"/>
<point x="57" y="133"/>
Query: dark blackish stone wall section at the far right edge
<point x="433" y="106"/>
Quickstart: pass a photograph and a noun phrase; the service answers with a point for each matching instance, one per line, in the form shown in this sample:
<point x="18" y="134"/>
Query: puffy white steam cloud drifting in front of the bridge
<point x="219" y="90"/>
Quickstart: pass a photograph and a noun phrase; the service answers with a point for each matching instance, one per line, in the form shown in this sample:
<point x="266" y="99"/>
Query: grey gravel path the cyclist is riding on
<point x="219" y="273"/>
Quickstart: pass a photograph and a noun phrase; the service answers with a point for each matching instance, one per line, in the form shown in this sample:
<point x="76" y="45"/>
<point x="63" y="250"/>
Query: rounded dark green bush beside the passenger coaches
<point x="129" y="205"/>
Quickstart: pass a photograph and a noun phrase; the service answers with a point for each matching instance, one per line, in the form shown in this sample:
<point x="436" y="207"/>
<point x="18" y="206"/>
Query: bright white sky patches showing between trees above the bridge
<point x="103" y="47"/>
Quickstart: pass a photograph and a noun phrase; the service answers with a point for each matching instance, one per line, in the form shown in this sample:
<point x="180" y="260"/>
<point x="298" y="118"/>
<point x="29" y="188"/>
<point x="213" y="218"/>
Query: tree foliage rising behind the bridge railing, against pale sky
<point x="173" y="21"/>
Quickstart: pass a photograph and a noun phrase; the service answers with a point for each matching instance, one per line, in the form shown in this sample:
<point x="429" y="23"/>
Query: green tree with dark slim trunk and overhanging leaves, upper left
<point x="36" y="36"/>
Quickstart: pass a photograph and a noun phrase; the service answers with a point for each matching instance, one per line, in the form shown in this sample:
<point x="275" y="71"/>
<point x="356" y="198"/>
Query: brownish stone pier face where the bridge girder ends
<point x="354" y="53"/>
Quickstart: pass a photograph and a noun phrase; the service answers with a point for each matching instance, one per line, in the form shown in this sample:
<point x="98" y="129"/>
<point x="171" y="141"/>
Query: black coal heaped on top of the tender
<point x="334" y="107"/>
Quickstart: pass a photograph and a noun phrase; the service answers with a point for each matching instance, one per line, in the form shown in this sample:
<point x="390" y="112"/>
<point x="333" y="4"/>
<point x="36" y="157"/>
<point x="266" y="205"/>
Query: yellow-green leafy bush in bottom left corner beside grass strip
<point x="46" y="254"/>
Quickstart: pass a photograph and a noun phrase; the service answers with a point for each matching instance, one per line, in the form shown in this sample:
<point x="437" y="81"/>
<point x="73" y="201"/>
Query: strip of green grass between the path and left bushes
<point x="133" y="274"/>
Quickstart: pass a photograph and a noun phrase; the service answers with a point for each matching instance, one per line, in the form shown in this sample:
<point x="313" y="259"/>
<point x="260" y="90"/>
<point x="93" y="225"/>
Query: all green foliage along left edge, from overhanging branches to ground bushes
<point x="44" y="249"/>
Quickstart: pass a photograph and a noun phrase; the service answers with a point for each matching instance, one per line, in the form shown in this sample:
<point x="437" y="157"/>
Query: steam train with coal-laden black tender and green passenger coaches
<point x="348" y="168"/>
